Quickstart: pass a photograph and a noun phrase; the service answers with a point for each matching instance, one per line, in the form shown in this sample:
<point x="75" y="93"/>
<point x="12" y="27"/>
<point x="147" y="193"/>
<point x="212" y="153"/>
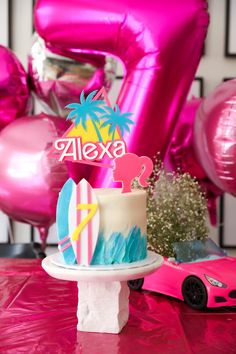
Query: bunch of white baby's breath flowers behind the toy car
<point x="176" y="209"/>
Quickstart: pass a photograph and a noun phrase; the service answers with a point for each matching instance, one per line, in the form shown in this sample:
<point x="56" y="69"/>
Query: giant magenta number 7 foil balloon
<point x="160" y="44"/>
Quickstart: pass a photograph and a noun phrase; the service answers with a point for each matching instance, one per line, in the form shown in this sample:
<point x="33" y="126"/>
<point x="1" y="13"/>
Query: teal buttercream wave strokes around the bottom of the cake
<point x="120" y="249"/>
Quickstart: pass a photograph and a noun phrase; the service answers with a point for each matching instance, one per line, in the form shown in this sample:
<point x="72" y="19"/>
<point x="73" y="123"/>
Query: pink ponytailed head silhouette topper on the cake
<point x="129" y="166"/>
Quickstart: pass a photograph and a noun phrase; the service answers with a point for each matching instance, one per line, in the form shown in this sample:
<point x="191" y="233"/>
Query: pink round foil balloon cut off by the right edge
<point x="215" y="136"/>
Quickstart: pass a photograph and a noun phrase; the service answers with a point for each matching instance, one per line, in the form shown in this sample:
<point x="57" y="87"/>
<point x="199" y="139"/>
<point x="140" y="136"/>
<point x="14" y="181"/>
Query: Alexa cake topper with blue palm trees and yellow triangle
<point x="96" y="133"/>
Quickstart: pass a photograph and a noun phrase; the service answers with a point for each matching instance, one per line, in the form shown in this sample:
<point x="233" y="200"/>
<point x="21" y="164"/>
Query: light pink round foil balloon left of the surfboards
<point x="30" y="180"/>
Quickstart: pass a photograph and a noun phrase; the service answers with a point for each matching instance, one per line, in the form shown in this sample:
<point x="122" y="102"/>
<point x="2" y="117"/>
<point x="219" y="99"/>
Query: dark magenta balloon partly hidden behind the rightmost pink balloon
<point x="182" y="156"/>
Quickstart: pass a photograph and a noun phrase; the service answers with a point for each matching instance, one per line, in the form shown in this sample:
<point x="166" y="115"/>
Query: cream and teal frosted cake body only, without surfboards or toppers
<point x="122" y="231"/>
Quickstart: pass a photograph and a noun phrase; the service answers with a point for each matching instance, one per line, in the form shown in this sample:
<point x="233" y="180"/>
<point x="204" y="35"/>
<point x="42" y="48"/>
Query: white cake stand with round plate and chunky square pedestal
<point x="103" y="304"/>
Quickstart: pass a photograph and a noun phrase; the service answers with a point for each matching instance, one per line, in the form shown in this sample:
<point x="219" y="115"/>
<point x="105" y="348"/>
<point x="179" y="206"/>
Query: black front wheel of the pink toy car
<point x="194" y="293"/>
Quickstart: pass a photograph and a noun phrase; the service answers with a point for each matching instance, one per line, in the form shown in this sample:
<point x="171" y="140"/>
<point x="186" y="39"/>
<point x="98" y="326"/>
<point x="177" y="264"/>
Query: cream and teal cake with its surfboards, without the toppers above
<point x="115" y="233"/>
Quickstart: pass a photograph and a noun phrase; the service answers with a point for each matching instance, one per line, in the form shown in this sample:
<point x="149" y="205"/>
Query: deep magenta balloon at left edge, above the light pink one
<point x="14" y="92"/>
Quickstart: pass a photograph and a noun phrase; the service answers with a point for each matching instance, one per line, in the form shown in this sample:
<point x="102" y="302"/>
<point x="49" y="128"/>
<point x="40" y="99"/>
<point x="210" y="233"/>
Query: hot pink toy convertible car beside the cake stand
<point x="201" y="274"/>
